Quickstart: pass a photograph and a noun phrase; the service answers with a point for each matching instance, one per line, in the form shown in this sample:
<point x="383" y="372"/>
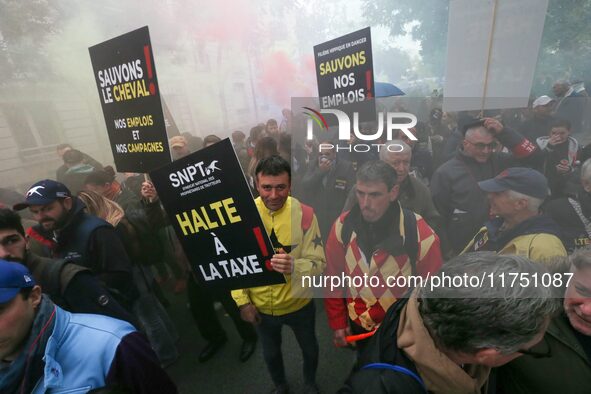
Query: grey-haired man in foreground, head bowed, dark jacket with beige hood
<point x="447" y="336"/>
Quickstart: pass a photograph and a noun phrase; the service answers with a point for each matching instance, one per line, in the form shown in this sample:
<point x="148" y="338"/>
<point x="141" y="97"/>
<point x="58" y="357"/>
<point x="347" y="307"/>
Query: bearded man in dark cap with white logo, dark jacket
<point x="66" y="231"/>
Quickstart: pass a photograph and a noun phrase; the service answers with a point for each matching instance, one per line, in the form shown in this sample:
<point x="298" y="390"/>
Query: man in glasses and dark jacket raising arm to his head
<point x="454" y="186"/>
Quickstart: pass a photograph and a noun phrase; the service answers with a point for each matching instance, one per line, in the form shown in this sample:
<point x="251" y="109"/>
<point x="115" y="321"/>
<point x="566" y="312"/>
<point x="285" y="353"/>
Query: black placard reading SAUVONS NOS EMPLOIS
<point x="344" y="72"/>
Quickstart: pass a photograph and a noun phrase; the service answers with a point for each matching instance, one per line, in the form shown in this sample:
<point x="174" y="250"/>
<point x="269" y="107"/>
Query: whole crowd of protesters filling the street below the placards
<point x="496" y="195"/>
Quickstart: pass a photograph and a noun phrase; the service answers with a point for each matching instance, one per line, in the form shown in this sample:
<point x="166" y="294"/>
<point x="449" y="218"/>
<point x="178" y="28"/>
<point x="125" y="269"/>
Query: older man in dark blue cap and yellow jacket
<point x="515" y="196"/>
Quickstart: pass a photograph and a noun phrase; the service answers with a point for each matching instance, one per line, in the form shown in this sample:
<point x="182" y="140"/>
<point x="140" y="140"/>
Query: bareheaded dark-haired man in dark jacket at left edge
<point x="71" y="286"/>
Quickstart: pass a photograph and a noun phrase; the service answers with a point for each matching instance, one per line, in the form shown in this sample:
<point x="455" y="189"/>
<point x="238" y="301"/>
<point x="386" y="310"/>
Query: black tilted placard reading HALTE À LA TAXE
<point x="214" y="215"/>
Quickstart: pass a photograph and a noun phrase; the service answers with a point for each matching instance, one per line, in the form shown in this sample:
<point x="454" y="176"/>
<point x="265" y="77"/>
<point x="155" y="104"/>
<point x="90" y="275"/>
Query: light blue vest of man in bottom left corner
<point x="80" y="352"/>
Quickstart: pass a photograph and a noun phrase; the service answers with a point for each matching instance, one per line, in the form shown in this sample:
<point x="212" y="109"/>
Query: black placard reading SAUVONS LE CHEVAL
<point x="125" y="76"/>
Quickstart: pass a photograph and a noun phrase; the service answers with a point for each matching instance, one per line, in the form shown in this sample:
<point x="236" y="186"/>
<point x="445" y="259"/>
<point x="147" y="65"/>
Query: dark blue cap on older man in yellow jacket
<point x="522" y="180"/>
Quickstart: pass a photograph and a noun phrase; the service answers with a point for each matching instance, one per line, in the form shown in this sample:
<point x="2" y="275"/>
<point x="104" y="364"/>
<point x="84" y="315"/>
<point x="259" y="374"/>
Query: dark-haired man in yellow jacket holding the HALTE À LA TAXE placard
<point x="294" y="232"/>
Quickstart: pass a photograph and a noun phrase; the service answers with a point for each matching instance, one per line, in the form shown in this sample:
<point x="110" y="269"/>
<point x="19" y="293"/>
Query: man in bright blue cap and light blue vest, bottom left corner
<point x="45" y="349"/>
